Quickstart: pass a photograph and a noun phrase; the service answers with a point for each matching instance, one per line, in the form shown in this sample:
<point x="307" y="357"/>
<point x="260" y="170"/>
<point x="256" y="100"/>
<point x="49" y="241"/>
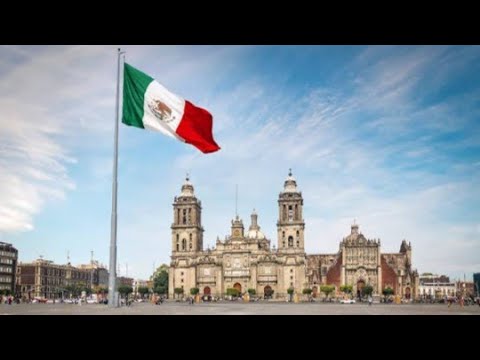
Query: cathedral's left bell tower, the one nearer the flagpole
<point x="187" y="230"/>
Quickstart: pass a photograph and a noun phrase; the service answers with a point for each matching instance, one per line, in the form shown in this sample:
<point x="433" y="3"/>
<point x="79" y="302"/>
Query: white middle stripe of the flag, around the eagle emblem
<point x="157" y="92"/>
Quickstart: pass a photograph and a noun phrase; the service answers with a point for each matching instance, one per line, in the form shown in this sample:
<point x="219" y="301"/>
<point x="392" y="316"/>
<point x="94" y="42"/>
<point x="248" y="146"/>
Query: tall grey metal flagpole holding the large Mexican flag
<point x="112" y="299"/>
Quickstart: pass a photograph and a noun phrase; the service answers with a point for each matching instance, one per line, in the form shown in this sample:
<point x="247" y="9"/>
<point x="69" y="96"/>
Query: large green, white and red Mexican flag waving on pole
<point x="149" y="105"/>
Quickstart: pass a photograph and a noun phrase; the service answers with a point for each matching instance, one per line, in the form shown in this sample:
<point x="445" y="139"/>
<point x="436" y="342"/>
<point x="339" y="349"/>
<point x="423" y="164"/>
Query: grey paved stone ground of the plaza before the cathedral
<point x="233" y="308"/>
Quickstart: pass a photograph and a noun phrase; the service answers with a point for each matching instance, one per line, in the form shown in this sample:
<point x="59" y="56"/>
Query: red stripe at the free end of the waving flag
<point x="196" y="128"/>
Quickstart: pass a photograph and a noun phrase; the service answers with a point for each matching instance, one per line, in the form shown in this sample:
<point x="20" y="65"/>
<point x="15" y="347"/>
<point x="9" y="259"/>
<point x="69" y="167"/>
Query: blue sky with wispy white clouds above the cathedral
<point x="386" y="135"/>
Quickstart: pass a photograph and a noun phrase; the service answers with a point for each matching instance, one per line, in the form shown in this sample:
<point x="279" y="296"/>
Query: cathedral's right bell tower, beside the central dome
<point x="290" y="223"/>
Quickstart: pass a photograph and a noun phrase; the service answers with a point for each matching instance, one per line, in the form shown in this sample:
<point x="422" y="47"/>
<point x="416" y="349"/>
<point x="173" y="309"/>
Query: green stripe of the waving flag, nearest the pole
<point x="135" y="85"/>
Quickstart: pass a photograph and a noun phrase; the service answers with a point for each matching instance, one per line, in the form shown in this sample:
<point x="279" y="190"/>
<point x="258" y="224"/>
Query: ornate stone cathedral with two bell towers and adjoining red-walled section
<point x="246" y="259"/>
